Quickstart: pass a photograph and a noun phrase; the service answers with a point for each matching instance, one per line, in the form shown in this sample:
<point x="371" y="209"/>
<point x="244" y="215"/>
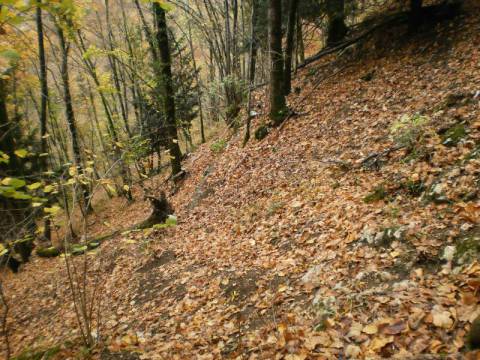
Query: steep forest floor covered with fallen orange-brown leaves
<point x="294" y="247"/>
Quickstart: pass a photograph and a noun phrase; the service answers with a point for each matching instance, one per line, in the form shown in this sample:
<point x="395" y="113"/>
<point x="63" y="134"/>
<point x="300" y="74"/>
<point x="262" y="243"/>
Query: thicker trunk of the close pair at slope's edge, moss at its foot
<point x="277" y="98"/>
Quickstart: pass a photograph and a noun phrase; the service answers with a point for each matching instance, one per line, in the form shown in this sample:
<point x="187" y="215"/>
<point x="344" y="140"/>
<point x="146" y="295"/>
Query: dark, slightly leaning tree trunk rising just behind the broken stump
<point x="167" y="93"/>
